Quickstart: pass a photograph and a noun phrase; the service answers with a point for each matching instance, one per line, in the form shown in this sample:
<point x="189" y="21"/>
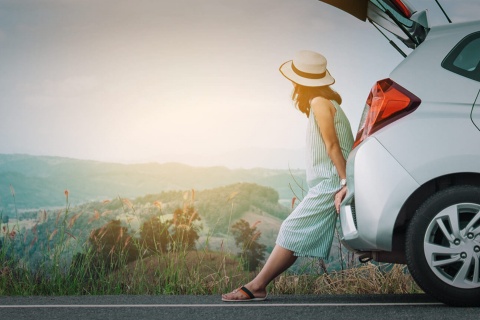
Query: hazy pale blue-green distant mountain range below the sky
<point x="40" y="181"/>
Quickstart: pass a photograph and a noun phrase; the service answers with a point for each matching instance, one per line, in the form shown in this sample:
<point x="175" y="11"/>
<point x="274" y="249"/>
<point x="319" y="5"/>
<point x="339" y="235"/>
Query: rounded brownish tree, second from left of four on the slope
<point x="154" y="235"/>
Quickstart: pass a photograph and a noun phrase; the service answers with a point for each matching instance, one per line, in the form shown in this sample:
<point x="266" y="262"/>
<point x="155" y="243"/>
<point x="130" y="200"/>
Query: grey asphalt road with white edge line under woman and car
<point x="210" y="307"/>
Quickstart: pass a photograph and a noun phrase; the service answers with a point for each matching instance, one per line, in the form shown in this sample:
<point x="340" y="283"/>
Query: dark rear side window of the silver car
<point x="464" y="59"/>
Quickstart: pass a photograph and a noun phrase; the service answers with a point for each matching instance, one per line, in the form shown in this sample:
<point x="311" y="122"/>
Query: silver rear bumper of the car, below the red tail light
<point x="377" y="188"/>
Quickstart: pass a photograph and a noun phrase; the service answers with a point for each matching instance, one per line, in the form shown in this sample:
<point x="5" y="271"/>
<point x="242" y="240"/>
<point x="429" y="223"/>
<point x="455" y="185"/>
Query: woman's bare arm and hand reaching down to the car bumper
<point x="324" y="112"/>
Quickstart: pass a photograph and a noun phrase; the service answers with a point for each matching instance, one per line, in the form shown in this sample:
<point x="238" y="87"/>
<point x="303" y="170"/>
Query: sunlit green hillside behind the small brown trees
<point x="219" y="208"/>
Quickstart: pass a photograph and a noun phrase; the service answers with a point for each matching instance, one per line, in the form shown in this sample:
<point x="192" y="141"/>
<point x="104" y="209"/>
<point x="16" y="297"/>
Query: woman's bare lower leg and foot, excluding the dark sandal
<point x="280" y="260"/>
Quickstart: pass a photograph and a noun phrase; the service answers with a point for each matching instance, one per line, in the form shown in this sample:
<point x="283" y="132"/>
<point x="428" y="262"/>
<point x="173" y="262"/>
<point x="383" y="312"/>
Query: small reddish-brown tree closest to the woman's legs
<point x="246" y="237"/>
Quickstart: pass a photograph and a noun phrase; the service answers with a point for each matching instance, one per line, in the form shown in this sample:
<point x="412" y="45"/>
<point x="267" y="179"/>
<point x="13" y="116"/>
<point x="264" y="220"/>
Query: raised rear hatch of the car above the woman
<point x="396" y="16"/>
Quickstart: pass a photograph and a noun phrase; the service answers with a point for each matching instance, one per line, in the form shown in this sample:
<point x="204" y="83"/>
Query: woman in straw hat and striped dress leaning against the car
<point x="308" y="231"/>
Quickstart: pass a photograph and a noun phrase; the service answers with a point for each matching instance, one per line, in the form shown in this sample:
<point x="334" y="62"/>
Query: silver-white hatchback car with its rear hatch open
<point x="413" y="175"/>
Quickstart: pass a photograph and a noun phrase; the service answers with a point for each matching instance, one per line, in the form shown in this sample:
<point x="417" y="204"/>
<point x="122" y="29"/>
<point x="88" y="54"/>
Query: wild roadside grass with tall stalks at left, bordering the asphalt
<point x="194" y="272"/>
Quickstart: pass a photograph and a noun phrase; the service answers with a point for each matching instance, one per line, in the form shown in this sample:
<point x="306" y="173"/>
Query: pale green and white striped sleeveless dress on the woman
<point x="308" y="231"/>
